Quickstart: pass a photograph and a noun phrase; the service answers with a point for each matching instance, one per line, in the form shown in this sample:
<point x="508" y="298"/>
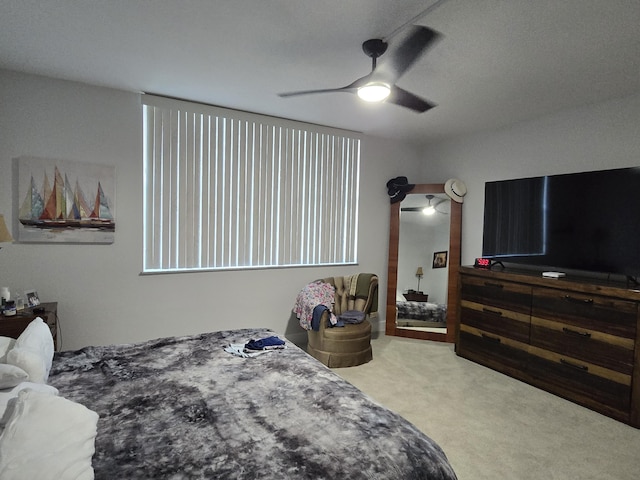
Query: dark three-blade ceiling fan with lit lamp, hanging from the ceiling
<point x="380" y="84"/>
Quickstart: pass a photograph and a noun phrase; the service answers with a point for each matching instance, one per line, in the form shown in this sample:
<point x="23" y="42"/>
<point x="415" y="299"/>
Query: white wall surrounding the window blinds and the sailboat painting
<point x="101" y="297"/>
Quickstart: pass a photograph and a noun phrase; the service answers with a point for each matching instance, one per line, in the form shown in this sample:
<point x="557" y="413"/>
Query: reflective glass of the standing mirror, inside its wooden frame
<point x="423" y="250"/>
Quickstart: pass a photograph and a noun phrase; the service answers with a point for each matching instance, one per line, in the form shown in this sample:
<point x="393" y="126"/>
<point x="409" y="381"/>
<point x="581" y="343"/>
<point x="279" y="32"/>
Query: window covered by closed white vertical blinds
<point x="225" y="189"/>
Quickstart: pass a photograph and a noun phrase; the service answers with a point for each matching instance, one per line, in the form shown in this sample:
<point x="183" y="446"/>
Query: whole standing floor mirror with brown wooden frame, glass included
<point x="424" y="258"/>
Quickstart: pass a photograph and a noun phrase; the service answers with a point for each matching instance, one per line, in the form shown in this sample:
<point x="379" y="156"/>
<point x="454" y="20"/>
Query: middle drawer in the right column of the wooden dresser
<point x="593" y="346"/>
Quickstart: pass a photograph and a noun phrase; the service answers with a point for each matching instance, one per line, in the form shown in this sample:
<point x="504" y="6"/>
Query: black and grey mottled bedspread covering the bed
<point x="183" y="407"/>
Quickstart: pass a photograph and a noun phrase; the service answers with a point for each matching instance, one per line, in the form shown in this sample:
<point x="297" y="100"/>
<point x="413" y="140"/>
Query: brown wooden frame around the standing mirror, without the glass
<point x="455" y="238"/>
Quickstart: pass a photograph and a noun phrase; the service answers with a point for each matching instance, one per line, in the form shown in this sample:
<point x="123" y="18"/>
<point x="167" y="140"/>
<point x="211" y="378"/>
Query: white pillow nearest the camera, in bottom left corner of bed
<point x="48" y="438"/>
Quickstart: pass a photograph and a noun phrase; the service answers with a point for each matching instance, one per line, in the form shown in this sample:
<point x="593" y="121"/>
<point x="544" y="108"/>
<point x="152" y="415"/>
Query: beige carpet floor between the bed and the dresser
<point x="491" y="426"/>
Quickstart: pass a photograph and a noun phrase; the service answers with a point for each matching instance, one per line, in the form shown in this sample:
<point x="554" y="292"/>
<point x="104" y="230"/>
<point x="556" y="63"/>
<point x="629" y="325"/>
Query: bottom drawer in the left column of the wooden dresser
<point x="497" y="352"/>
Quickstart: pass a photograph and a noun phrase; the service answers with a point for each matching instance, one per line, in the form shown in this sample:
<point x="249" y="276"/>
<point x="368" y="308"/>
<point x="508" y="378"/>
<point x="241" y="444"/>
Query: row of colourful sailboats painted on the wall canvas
<point x="64" y="206"/>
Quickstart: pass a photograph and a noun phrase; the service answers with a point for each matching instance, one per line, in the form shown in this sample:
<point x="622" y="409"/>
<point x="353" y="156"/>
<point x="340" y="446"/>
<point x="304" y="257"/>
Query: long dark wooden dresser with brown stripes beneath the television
<point x="575" y="338"/>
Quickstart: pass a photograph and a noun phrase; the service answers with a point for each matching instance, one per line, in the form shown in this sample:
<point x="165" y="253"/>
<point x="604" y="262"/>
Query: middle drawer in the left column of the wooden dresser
<point x="499" y="321"/>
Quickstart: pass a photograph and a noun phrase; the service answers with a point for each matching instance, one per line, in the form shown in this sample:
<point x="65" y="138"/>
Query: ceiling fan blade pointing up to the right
<point x="400" y="59"/>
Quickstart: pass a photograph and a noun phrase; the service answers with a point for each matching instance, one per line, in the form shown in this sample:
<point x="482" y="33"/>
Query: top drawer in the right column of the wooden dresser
<point x="592" y="312"/>
